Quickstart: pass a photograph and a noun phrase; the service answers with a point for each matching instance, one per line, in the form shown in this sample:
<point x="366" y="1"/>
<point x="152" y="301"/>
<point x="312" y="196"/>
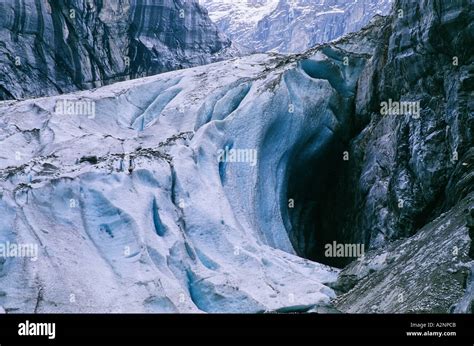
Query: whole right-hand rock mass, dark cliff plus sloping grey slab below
<point x="406" y="191"/>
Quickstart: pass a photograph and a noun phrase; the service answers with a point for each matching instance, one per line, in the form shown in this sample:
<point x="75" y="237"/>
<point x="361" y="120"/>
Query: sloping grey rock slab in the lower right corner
<point x="427" y="273"/>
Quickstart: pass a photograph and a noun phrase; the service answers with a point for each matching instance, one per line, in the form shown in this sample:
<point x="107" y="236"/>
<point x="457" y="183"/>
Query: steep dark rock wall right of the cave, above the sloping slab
<point x="405" y="169"/>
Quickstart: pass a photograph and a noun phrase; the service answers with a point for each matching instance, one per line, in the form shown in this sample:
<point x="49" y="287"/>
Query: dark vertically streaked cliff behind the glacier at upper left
<point x="52" y="47"/>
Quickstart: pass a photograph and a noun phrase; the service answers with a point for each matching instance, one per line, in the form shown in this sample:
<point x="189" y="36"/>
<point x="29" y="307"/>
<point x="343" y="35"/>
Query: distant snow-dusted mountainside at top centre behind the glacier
<point x="291" y="26"/>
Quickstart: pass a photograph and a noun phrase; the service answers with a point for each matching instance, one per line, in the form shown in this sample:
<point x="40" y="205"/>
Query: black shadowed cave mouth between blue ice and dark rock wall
<point x="312" y="223"/>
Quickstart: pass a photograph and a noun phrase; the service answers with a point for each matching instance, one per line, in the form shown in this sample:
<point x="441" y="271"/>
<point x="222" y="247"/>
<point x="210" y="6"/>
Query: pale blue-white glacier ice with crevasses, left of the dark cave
<point x="132" y="209"/>
